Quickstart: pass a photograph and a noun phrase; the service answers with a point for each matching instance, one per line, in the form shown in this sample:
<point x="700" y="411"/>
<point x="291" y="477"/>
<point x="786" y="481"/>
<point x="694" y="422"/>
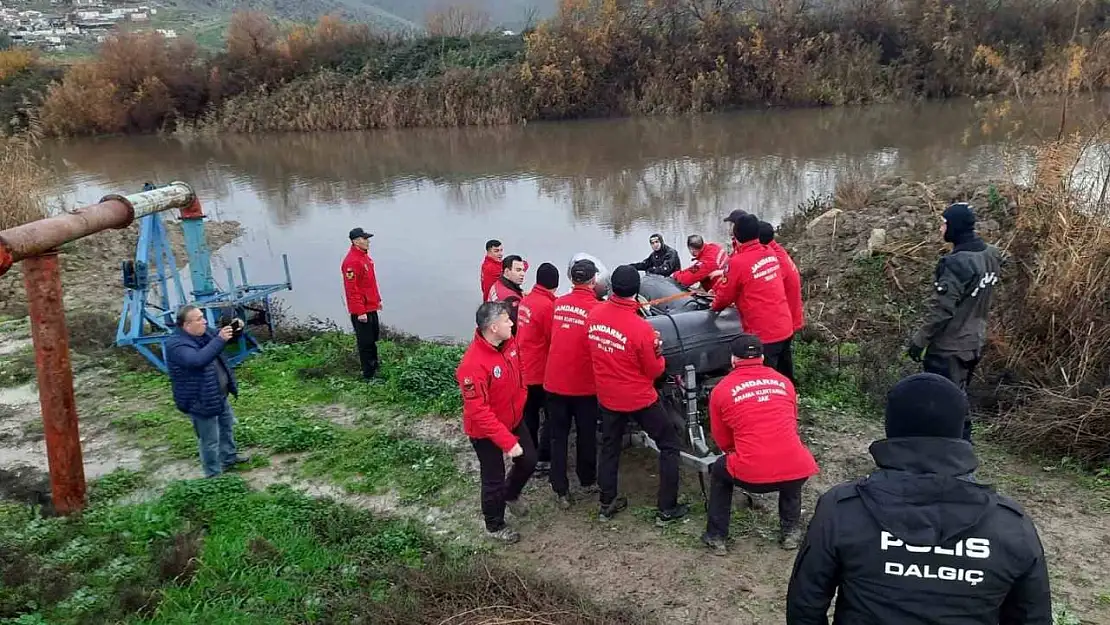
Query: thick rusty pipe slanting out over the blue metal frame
<point x="113" y="213"/>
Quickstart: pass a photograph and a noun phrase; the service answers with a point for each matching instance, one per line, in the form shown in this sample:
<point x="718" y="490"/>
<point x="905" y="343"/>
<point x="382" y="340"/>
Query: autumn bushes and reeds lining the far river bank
<point x="594" y="58"/>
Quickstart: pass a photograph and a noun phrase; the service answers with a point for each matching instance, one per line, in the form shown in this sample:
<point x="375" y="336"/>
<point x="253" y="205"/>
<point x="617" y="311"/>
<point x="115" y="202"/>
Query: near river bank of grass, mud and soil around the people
<point x="393" y="457"/>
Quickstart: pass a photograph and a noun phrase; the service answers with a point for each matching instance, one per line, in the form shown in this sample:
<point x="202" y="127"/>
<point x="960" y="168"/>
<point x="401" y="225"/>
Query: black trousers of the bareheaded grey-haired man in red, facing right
<point x="497" y="489"/>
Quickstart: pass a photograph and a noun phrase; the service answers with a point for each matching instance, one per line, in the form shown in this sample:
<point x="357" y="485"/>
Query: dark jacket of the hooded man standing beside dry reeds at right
<point x="964" y="286"/>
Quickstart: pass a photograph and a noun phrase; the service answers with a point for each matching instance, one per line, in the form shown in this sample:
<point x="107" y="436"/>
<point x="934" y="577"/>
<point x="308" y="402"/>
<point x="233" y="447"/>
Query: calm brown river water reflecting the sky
<point x="433" y="197"/>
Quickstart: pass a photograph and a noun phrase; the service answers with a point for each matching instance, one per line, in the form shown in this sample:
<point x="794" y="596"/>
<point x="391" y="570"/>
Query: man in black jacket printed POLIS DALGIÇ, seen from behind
<point x="919" y="542"/>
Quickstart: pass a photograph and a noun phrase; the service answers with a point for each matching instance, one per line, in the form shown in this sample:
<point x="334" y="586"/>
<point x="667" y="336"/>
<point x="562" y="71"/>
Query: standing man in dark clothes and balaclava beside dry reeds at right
<point x="955" y="329"/>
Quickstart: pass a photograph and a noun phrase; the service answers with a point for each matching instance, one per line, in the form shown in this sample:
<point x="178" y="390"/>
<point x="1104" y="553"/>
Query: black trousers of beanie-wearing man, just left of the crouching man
<point x="655" y="424"/>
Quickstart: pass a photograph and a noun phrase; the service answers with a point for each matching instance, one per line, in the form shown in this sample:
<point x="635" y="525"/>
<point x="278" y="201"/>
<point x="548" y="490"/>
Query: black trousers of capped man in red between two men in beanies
<point x="563" y="410"/>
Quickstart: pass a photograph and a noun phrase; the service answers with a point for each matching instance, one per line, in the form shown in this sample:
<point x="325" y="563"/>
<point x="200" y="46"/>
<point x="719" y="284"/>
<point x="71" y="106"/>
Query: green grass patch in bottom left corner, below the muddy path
<point x="207" y="551"/>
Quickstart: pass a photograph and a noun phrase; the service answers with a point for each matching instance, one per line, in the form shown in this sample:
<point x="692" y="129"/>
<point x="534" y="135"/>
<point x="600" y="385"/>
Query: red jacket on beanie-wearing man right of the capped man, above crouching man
<point x="622" y="351"/>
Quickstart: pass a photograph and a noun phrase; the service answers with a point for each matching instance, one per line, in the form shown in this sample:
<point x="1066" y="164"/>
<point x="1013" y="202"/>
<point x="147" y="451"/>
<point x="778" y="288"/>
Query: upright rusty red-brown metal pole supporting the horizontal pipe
<point x="44" y="283"/>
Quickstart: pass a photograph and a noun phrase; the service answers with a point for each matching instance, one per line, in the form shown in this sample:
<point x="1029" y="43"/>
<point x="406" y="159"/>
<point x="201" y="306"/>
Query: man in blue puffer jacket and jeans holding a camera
<point x="203" y="380"/>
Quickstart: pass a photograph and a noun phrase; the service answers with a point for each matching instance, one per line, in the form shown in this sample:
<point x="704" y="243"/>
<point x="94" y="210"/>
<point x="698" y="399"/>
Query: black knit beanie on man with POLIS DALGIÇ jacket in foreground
<point x="926" y="405"/>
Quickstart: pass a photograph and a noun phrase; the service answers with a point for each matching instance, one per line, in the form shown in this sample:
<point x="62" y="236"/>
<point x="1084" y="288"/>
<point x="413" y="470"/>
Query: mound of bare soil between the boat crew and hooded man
<point x="867" y="257"/>
